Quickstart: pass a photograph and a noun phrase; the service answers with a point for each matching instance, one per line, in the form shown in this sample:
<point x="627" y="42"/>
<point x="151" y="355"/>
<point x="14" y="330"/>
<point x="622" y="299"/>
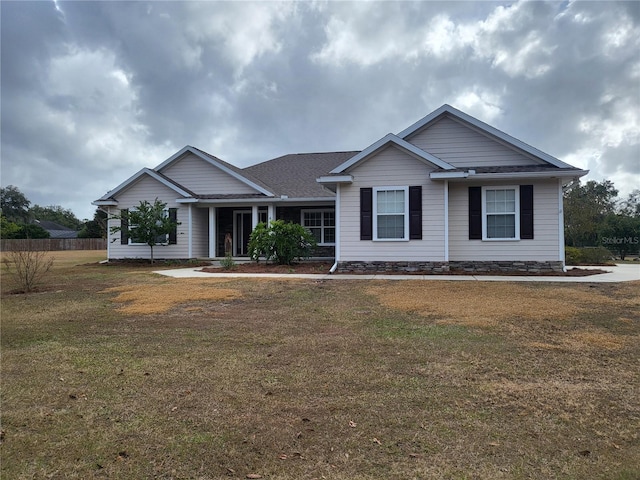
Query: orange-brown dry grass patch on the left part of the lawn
<point x="153" y="299"/>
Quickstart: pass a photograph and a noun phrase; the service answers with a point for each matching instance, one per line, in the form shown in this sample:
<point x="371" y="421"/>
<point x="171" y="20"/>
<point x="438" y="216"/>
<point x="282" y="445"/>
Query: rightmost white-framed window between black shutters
<point x="500" y="213"/>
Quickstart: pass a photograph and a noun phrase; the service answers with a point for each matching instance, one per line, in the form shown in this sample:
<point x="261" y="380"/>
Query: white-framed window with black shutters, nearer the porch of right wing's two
<point x="390" y="218"/>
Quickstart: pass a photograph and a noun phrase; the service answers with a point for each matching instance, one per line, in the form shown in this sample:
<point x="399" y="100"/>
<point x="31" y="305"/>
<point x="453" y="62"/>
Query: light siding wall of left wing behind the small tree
<point x="147" y="188"/>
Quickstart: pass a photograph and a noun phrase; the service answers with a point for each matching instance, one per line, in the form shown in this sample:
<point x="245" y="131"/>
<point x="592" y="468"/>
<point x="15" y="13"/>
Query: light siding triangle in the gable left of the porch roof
<point x="201" y="177"/>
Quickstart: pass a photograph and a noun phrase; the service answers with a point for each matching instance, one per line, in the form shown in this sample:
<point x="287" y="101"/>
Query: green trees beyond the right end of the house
<point x="595" y="217"/>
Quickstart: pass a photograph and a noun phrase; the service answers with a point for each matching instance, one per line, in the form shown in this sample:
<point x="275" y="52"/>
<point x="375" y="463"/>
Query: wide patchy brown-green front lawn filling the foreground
<point x="299" y="379"/>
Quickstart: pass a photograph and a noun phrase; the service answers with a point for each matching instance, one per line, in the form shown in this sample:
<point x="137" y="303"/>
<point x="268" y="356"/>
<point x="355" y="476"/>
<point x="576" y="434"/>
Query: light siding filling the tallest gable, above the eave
<point x="461" y="146"/>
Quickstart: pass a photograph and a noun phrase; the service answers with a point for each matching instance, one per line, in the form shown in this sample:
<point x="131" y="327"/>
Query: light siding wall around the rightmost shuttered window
<point x="543" y="247"/>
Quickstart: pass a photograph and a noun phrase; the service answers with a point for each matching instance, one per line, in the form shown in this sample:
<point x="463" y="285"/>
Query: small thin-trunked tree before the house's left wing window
<point x="147" y="223"/>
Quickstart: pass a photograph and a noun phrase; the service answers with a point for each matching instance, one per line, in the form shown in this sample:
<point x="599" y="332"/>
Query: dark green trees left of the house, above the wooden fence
<point x="19" y="219"/>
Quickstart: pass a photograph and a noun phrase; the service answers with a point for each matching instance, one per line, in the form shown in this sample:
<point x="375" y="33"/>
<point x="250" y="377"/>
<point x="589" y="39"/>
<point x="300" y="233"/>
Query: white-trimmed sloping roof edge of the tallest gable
<point x="448" y="110"/>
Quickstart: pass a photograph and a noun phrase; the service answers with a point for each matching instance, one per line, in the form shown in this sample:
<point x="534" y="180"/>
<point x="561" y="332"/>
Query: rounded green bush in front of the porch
<point x="281" y="242"/>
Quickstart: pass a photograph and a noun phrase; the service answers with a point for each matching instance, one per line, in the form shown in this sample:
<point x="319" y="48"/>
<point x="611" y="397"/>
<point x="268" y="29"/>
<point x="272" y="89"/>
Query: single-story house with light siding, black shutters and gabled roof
<point x="448" y="192"/>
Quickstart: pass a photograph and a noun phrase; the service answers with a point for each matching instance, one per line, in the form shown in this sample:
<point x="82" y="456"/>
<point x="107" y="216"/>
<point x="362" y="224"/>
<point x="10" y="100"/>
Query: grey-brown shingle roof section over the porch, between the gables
<point x="295" y="175"/>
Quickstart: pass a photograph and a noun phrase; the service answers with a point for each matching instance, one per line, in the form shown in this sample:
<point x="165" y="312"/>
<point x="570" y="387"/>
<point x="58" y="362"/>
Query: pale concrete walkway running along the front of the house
<point x="619" y="273"/>
